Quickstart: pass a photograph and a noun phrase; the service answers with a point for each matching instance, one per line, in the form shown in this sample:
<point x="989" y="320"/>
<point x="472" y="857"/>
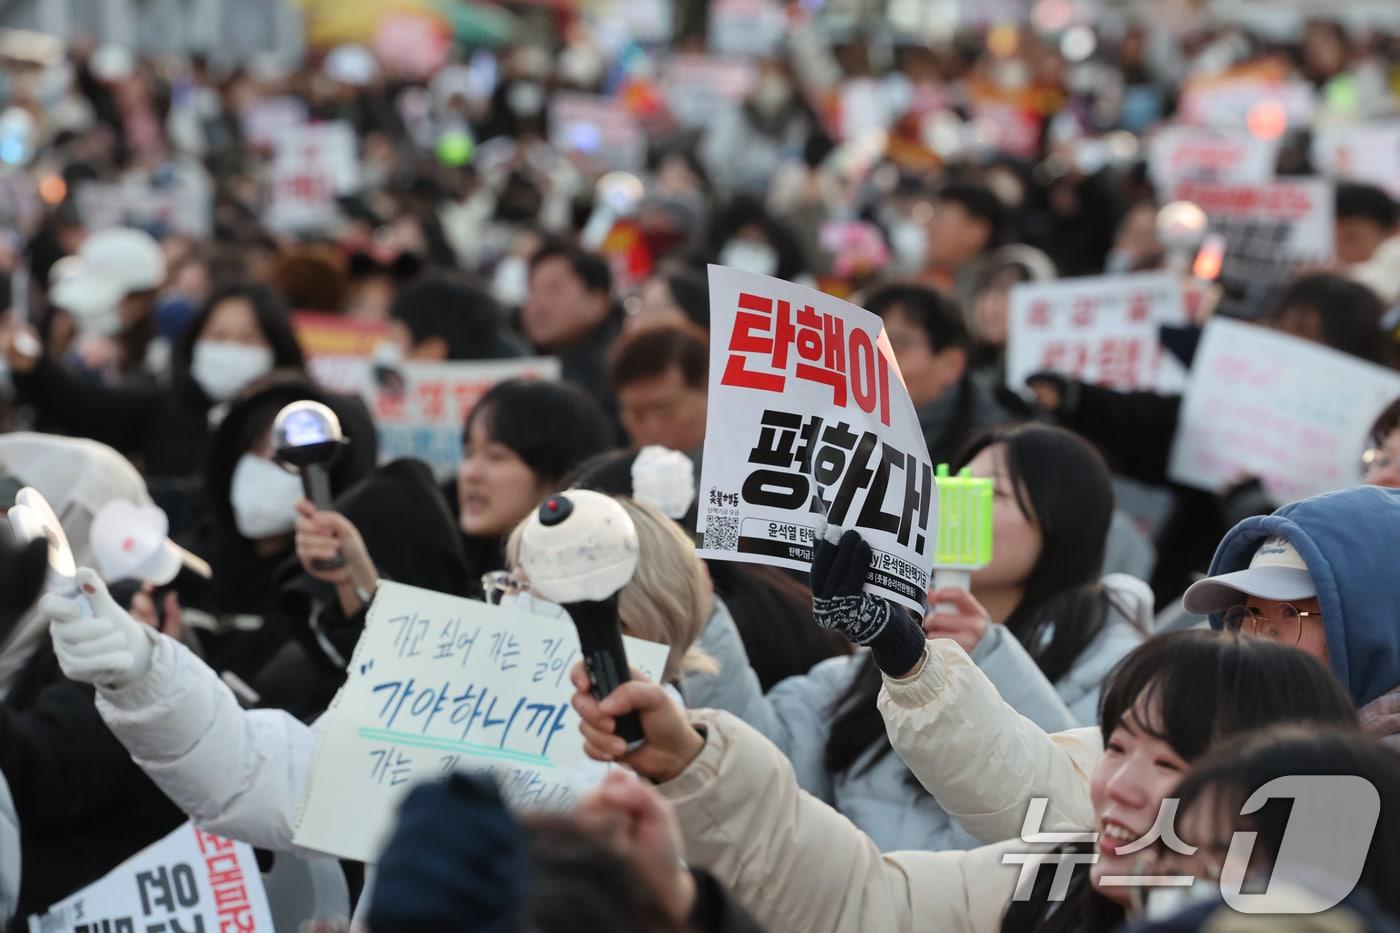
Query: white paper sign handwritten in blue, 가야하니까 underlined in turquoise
<point x="442" y="684"/>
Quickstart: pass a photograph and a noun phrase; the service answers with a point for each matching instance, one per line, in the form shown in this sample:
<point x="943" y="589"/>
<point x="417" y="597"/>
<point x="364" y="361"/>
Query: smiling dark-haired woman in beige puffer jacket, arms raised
<point x="797" y="865"/>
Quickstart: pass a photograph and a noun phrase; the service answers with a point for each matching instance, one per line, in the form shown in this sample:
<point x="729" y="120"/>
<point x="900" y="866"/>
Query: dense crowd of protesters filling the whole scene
<point x="814" y="757"/>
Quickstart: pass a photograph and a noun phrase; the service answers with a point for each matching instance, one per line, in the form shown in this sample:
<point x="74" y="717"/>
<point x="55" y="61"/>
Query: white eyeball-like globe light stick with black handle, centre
<point x="580" y="550"/>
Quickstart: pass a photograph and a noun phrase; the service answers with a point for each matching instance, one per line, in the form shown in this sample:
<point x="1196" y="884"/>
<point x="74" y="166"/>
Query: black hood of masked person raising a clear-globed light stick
<point x="254" y="414"/>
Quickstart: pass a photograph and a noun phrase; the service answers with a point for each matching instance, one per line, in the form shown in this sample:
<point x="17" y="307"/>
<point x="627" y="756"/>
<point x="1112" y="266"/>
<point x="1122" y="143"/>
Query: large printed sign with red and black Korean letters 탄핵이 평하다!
<point x="810" y="418"/>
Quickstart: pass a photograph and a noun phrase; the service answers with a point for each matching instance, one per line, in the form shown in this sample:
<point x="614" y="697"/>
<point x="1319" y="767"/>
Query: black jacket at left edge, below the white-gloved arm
<point x="83" y="805"/>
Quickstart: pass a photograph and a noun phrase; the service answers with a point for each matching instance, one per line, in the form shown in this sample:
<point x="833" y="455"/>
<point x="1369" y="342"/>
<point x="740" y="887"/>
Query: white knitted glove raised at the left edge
<point x="106" y="647"/>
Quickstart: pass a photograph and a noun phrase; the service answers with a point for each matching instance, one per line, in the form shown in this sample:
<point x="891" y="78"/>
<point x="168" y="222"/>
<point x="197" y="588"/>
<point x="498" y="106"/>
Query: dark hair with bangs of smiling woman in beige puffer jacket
<point x="1191" y="690"/>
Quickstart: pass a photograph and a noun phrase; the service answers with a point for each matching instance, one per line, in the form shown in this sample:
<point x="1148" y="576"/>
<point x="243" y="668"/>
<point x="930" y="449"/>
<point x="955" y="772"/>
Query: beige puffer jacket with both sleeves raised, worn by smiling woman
<point x="799" y="865"/>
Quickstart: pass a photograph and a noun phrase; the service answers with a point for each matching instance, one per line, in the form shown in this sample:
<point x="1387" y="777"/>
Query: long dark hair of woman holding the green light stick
<point x="1063" y="485"/>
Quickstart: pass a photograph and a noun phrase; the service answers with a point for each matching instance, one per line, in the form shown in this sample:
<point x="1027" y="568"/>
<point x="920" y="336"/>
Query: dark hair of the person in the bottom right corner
<point x="1228" y="777"/>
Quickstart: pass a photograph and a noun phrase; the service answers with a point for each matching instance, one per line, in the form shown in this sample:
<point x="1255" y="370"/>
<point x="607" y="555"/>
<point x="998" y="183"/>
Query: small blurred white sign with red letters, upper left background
<point x="313" y="166"/>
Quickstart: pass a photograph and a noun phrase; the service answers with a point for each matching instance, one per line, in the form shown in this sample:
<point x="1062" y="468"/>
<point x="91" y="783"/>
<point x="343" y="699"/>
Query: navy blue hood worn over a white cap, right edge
<point x="1350" y="541"/>
